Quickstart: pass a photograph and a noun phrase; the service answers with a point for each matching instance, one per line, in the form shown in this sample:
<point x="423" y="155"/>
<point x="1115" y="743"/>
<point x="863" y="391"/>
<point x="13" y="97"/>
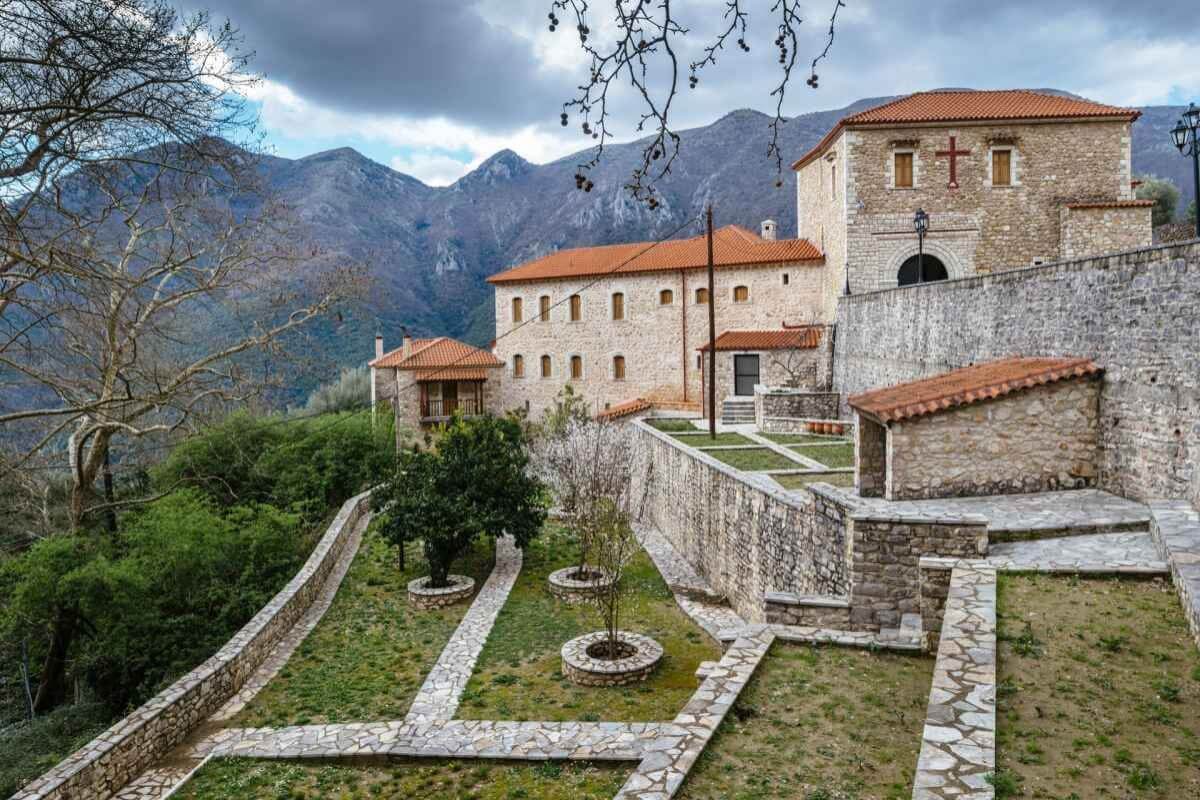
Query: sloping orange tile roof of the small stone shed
<point x="970" y="386"/>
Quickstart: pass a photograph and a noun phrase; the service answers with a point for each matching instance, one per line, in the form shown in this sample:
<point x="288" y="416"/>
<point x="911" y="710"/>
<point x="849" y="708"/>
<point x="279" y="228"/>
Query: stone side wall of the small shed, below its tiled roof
<point x="1040" y="440"/>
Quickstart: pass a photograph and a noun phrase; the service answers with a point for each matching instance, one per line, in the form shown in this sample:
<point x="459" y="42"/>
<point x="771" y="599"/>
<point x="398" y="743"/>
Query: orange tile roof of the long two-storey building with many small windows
<point x="733" y="246"/>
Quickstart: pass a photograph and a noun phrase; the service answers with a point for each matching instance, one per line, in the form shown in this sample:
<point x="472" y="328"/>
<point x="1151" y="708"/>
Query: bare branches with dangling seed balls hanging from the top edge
<point x="646" y="56"/>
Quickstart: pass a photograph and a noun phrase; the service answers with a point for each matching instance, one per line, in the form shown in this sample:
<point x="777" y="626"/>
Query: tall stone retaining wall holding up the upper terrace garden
<point x="741" y="532"/>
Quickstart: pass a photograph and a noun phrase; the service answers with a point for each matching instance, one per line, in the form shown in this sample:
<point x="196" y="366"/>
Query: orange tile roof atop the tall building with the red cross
<point x="969" y="106"/>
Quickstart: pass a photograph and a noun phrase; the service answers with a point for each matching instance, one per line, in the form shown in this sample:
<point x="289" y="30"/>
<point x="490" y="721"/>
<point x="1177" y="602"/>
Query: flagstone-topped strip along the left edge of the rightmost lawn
<point x="958" y="748"/>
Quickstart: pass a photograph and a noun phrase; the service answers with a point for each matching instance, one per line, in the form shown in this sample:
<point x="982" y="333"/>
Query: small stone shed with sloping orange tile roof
<point x="1003" y="428"/>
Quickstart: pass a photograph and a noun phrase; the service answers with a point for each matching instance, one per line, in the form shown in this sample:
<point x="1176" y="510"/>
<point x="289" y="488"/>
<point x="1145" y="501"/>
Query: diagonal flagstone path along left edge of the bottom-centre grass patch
<point x="670" y="757"/>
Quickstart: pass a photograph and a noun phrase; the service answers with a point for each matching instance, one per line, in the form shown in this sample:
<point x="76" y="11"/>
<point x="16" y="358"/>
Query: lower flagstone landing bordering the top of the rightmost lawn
<point x="1129" y="554"/>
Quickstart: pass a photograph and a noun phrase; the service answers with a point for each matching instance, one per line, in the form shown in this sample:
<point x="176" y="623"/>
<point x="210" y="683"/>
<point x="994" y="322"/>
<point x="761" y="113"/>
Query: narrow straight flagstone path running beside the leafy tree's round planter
<point x="440" y="695"/>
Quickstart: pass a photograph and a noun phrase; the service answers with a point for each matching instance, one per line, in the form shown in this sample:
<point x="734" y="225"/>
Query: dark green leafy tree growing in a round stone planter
<point x="475" y="484"/>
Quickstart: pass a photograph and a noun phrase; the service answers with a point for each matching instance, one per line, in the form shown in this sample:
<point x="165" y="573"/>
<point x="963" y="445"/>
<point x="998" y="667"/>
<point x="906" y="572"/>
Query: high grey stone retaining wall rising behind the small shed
<point x="1137" y="315"/>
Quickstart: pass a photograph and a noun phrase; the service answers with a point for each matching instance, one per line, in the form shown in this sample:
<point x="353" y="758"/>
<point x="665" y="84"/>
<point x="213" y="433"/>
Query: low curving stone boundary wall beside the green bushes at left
<point x="119" y="755"/>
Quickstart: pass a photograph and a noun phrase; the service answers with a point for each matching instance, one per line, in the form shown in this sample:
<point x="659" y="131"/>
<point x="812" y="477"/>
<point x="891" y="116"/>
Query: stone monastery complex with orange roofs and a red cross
<point x="1009" y="181"/>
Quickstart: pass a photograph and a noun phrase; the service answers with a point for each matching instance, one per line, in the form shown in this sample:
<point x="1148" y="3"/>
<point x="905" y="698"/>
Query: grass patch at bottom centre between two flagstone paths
<point x="820" y="724"/>
